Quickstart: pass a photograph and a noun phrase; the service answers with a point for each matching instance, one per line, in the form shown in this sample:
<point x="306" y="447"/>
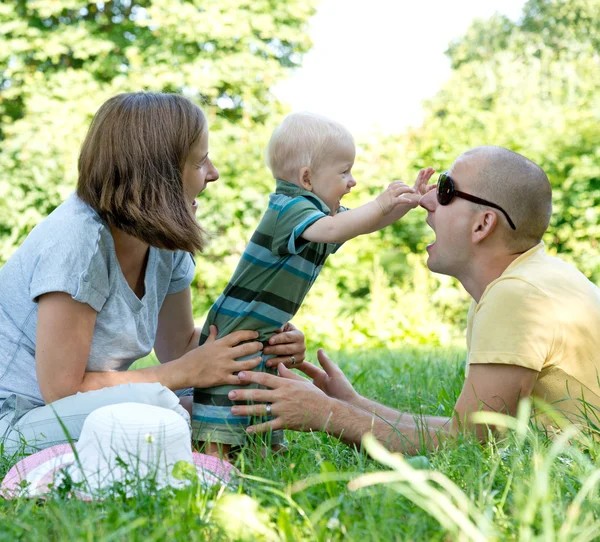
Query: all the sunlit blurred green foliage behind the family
<point x="529" y="85"/>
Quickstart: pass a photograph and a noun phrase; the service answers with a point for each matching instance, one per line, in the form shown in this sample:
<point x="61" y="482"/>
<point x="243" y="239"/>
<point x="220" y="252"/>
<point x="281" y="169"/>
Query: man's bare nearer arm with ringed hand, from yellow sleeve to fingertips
<point x="301" y="405"/>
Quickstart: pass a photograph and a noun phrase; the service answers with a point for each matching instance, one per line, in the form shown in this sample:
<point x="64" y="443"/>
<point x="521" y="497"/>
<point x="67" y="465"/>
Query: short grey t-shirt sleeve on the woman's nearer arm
<point x="75" y="265"/>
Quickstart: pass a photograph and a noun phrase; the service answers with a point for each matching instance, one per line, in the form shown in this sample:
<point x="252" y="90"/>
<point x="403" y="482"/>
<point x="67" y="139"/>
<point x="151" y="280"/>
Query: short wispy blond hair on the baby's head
<point x="303" y="140"/>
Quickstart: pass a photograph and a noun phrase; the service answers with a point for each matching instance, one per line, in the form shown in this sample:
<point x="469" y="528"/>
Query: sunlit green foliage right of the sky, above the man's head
<point x="533" y="87"/>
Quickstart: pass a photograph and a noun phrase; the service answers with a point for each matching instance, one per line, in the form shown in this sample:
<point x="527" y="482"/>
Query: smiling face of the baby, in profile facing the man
<point x="333" y="179"/>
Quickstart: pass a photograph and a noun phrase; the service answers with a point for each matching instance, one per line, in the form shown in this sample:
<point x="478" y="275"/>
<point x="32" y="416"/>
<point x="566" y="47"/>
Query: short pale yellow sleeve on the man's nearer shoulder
<point x="514" y="324"/>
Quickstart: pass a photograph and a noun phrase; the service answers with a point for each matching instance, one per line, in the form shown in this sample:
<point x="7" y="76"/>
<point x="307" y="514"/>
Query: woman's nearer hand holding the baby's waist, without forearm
<point x="213" y="363"/>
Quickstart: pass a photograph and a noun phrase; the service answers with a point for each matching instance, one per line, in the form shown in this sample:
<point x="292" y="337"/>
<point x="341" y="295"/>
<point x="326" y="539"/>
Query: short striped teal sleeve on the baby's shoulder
<point x="295" y="216"/>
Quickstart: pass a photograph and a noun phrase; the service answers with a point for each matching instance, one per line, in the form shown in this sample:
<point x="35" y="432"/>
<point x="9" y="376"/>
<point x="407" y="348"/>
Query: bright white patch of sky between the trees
<point x="373" y="62"/>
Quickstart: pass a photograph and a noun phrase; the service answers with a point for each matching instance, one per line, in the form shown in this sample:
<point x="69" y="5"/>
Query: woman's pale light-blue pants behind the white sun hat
<point x="25" y="427"/>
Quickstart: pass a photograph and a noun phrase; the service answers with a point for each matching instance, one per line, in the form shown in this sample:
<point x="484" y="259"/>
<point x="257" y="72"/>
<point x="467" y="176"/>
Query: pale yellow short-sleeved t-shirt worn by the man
<point x="543" y="314"/>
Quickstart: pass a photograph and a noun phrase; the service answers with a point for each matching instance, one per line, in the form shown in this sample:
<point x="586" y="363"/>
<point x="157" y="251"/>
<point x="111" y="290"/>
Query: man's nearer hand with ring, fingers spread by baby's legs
<point x="296" y="403"/>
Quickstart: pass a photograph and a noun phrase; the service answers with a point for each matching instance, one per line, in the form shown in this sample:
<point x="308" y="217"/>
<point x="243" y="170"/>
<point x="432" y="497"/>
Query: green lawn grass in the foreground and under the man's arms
<point x="518" y="487"/>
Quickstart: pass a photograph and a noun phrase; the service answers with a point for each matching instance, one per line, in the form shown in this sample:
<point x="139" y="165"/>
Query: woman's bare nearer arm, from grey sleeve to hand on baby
<point x="65" y="329"/>
